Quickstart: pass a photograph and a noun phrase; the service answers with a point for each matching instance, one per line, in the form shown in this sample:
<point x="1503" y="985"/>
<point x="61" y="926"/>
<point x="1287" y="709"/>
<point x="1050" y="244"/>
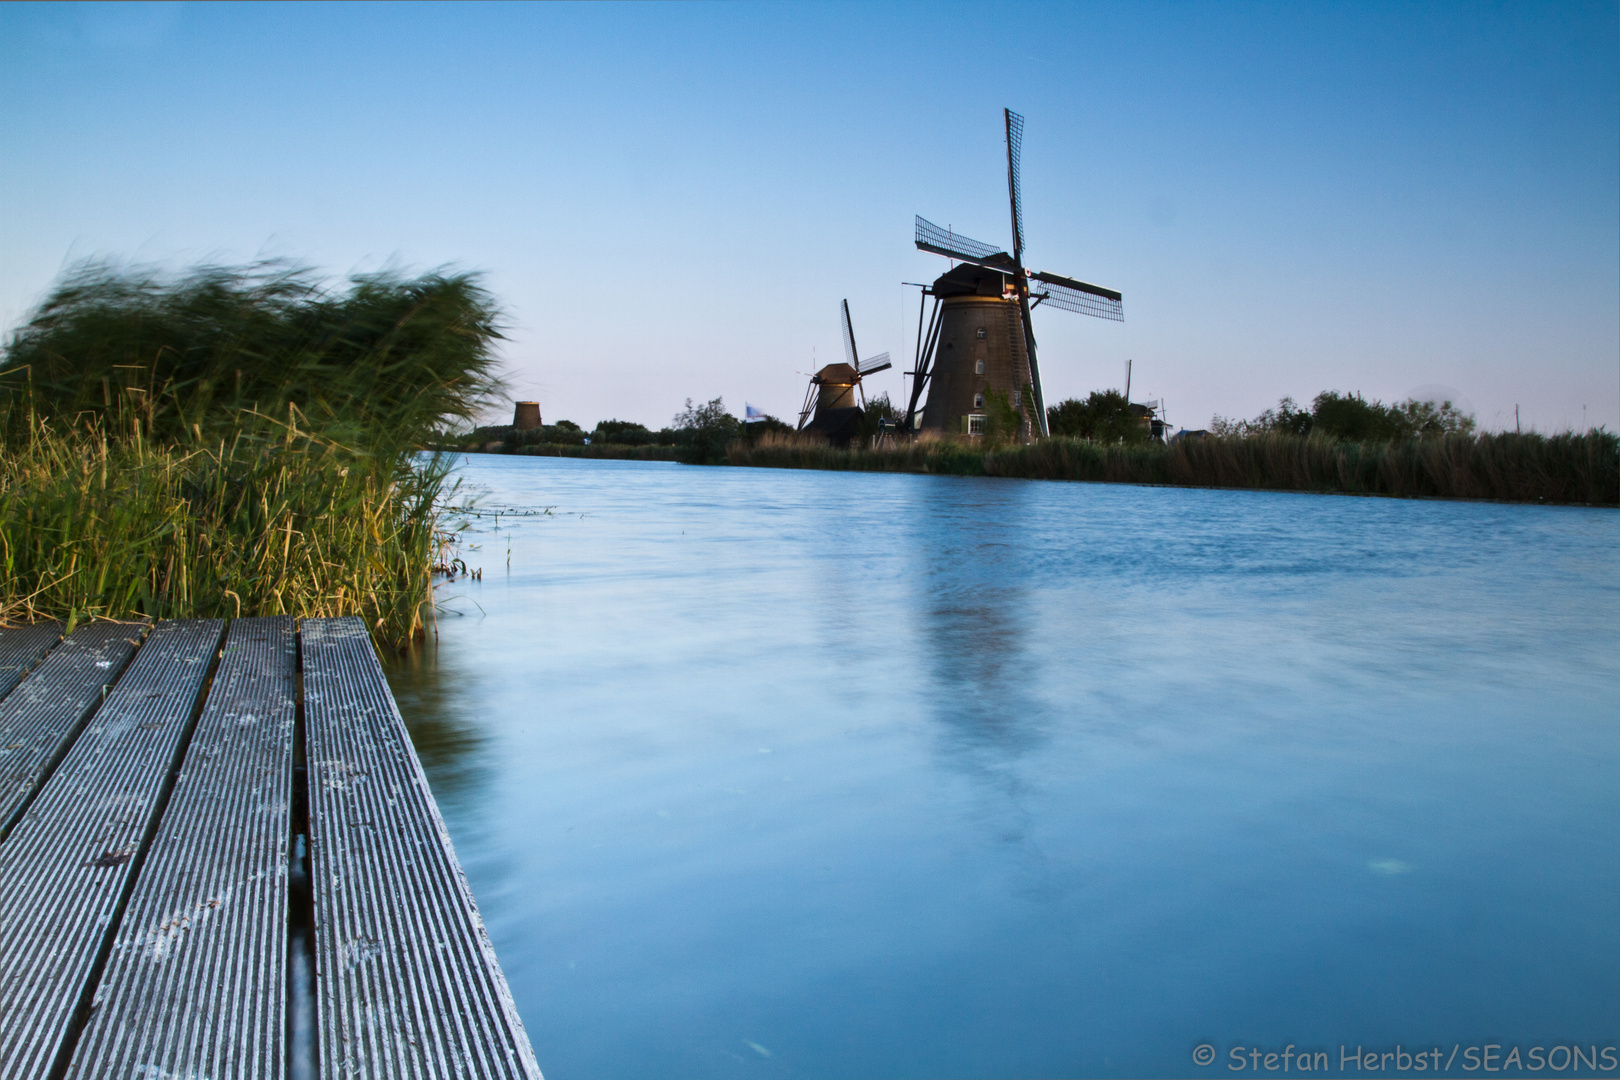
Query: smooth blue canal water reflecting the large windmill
<point x="808" y="775"/>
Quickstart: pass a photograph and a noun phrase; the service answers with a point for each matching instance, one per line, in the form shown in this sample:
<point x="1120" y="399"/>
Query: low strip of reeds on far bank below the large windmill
<point x="1567" y="469"/>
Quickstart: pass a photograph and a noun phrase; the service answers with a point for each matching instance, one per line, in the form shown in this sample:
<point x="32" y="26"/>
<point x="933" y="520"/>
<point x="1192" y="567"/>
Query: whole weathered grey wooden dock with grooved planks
<point x="211" y="830"/>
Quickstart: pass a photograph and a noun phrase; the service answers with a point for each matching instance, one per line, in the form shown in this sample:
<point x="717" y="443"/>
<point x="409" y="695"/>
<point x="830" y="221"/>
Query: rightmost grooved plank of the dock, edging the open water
<point x="407" y="984"/>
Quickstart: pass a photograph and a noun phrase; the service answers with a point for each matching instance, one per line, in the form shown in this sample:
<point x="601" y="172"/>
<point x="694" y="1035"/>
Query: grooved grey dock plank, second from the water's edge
<point x="197" y="979"/>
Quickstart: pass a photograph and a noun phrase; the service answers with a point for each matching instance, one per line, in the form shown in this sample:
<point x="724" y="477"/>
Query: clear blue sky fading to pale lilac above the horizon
<point x="671" y="200"/>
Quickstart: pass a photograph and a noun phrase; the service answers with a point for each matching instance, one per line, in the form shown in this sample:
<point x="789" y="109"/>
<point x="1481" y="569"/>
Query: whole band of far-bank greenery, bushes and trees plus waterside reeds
<point x="1341" y="444"/>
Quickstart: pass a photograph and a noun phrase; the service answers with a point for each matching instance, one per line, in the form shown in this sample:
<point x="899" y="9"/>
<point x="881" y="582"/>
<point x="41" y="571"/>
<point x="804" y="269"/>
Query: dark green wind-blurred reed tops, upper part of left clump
<point x="388" y="360"/>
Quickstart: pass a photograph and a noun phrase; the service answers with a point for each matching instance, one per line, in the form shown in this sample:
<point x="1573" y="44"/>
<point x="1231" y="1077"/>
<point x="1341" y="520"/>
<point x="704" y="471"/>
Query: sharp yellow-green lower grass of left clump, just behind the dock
<point x="101" y="527"/>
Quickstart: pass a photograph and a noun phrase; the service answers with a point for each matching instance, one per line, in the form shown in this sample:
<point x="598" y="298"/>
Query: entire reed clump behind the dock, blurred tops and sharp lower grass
<point x="237" y="441"/>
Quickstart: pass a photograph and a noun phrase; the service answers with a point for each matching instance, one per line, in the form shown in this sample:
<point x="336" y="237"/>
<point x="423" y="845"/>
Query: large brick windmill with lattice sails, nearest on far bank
<point x="979" y="339"/>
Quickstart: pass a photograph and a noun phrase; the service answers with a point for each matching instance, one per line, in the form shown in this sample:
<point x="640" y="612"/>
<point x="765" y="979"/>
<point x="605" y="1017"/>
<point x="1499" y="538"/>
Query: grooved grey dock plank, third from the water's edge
<point x="66" y="867"/>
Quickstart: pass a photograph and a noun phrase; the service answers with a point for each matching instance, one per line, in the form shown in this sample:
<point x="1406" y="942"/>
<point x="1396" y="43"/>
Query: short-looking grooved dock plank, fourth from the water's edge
<point x="43" y="716"/>
